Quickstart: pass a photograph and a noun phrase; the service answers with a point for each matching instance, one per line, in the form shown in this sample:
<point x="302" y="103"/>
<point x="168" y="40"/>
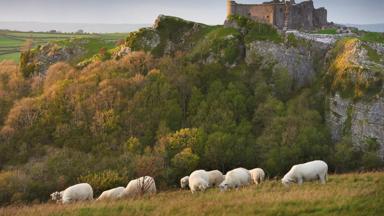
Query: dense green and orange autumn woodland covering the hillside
<point x="165" y="116"/>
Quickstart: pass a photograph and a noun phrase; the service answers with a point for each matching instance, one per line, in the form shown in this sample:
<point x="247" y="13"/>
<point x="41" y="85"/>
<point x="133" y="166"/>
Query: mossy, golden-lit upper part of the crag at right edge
<point x="355" y="70"/>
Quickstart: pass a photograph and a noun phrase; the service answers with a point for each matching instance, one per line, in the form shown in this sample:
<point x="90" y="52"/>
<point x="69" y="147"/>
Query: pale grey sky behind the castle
<point x="146" y="11"/>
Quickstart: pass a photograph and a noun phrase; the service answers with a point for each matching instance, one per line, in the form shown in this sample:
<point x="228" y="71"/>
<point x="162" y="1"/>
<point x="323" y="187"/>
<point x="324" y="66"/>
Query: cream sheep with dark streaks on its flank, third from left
<point x="140" y="186"/>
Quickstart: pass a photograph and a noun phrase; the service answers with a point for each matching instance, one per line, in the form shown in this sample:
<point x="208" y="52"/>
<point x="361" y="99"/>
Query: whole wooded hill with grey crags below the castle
<point x="181" y="96"/>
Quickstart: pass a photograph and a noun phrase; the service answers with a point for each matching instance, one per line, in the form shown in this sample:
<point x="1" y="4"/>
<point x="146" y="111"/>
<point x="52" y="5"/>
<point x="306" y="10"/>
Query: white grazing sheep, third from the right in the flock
<point x="235" y="178"/>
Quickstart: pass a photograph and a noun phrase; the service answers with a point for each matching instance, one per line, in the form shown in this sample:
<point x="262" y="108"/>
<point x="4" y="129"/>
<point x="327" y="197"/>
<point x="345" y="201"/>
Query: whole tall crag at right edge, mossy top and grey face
<point x="359" y="116"/>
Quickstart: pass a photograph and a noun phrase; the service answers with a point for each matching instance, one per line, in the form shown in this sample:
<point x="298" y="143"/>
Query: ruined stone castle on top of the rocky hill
<point x="283" y="14"/>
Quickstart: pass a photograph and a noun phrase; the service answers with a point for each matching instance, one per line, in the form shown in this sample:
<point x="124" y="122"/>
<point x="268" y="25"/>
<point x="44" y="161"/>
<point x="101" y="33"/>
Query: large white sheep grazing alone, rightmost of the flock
<point x="314" y="170"/>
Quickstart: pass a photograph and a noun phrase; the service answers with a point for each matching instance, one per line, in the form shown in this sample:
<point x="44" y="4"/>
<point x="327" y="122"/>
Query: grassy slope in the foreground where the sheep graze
<point x="351" y="194"/>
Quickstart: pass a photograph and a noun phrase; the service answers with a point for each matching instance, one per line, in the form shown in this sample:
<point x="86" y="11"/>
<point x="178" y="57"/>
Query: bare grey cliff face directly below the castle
<point x="298" y="62"/>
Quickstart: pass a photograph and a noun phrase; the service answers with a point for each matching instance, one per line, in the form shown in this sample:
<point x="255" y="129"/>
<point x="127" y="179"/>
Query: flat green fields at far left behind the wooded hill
<point x="11" y="42"/>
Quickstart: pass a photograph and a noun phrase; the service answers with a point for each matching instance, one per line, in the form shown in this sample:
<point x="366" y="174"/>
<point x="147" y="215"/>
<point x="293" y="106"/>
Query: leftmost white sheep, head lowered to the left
<point x="79" y="192"/>
